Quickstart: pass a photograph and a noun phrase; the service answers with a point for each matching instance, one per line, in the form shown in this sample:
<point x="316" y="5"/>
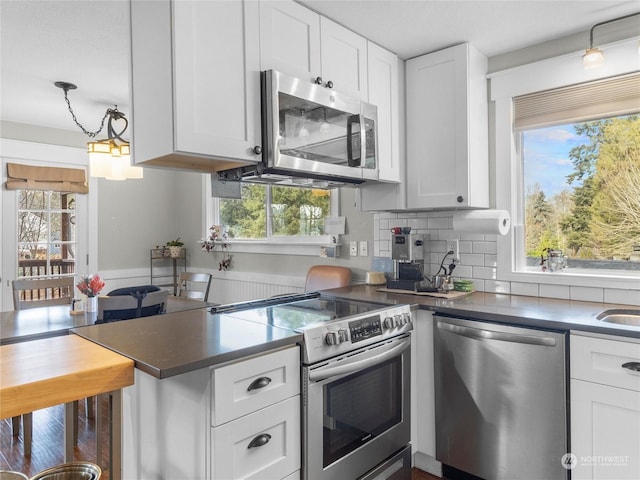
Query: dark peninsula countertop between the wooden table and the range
<point x="175" y="343"/>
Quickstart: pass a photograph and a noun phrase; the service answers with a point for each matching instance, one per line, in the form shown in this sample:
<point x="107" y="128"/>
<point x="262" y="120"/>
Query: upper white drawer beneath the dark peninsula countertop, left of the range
<point x="250" y="385"/>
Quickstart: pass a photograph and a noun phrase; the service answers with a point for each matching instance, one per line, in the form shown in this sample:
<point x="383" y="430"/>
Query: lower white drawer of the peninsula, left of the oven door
<point x="275" y="459"/>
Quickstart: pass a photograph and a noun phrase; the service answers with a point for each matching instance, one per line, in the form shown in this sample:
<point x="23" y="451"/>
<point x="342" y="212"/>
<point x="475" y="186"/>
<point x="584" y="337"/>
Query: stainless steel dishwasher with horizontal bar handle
<point x="501" y="400"/>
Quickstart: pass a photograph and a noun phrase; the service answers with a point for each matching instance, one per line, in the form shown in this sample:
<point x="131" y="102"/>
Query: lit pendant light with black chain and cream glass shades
<point x="108" y="158"/>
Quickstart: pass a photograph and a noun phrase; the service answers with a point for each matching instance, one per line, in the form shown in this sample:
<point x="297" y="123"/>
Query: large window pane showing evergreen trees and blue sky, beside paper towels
<point x="581" y="193"/>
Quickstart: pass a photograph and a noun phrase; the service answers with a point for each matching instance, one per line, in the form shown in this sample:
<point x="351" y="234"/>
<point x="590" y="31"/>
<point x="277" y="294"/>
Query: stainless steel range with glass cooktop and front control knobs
<point x="356" y="383"/>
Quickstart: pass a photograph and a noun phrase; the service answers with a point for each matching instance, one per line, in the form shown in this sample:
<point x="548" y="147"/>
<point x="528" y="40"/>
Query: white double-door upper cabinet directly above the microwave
<point x="298" y="42"/>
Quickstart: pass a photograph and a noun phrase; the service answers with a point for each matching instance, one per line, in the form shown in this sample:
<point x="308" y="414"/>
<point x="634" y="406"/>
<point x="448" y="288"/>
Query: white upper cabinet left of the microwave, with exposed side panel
<point x="195" y="83"/>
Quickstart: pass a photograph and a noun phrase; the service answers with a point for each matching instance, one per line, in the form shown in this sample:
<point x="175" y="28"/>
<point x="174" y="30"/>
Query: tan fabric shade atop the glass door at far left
<point x="29" y="177"/>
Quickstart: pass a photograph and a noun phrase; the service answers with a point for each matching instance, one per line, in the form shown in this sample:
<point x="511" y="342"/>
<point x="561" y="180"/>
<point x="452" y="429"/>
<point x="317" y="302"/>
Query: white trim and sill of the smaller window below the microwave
<point x="300" y="246"/>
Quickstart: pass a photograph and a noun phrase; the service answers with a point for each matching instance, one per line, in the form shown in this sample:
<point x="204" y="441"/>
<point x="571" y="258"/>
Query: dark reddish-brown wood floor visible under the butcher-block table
<point x="48" y="439"/>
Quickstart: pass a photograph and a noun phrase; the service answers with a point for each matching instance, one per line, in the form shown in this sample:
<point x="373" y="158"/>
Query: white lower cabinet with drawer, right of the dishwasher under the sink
<point x="605" y="408"/>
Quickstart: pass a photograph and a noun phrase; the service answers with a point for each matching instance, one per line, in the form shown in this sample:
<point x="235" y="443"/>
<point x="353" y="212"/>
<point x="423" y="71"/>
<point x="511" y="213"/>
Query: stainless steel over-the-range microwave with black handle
<point x="311" y="136"/>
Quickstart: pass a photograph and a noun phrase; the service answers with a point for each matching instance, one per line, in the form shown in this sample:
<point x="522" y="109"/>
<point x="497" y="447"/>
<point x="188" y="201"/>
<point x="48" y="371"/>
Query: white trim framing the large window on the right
<point x="621" y="58"/>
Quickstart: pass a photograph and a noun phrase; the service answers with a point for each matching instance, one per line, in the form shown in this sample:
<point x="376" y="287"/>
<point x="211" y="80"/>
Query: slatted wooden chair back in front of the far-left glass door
<point x="31" y="293"/>
